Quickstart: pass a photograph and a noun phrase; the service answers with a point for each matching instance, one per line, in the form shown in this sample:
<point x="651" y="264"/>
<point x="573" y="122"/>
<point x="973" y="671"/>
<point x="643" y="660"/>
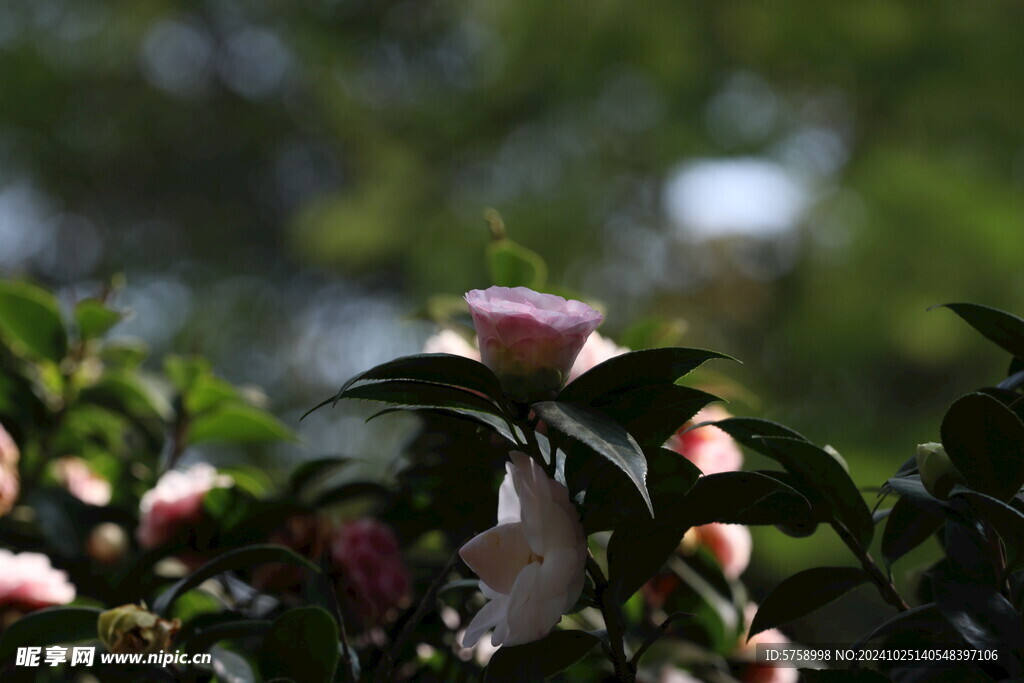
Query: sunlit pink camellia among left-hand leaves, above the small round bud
<point x="176" y="502"/>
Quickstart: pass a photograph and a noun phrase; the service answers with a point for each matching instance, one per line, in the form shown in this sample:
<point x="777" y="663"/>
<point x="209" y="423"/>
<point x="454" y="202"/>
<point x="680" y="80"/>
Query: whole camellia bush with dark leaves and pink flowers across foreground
<point x="568" y="507"/>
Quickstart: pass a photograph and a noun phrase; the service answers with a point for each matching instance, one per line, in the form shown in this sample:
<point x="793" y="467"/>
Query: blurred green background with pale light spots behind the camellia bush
<point x="283" y="183"/>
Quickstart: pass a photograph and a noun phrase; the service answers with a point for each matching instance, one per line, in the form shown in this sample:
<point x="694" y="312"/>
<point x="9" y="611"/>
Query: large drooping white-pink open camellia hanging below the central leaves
<point x="532" y="564"/>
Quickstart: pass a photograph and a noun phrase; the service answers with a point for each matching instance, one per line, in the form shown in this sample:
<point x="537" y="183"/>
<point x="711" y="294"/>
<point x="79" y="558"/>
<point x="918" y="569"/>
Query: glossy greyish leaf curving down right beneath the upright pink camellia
<point x="602" y="436"/>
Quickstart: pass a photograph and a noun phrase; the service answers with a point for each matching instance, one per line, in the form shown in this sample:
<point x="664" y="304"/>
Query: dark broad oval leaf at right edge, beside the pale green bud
<point x="984" y="440"/>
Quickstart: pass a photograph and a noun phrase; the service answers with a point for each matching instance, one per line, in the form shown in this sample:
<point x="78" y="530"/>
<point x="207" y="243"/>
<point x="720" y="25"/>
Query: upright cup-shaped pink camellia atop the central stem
<point x="529" y="339"/>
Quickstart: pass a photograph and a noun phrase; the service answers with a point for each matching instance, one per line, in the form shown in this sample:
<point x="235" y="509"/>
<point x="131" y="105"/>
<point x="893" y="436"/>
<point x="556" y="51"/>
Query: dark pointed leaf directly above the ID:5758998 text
<point x="803" y="593"/>
